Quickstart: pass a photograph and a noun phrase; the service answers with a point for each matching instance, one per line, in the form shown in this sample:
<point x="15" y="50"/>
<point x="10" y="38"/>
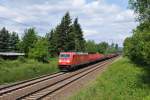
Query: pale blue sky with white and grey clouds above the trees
<point x="101" y="20"/>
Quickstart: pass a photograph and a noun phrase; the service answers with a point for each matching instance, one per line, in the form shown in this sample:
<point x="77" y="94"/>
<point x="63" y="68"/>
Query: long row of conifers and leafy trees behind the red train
<point x="66" y="36"/>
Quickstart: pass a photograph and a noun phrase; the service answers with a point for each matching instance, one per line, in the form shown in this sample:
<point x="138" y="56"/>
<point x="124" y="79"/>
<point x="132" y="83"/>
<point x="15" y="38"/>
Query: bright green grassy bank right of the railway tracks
<point x="122" y="81"/>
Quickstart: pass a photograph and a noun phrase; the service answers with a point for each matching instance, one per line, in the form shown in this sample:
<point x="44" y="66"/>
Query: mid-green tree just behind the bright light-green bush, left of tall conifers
<point x="28" y="40"/>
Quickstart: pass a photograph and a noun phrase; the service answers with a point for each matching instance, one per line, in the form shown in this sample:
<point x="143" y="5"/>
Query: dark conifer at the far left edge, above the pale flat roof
<point x="4" y="40"/>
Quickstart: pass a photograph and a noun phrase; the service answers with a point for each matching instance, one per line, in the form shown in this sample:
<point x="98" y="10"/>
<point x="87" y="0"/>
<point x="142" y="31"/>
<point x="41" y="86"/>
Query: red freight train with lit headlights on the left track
<point x="72" y="60"/>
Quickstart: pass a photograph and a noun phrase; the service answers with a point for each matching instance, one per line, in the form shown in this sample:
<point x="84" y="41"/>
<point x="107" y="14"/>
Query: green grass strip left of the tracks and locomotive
<point x="17" y="70"/>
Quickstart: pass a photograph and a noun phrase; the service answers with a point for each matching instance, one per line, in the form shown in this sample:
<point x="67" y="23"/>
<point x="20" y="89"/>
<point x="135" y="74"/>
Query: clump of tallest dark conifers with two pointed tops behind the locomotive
<point x="66" y="36"/>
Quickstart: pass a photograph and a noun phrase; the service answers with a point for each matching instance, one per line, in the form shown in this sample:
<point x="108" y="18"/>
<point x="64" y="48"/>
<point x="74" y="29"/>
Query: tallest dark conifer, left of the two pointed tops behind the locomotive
<point x="60" y="36"/>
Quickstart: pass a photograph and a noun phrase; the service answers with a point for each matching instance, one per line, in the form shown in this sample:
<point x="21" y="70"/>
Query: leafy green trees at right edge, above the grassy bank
<point x="137" y="47"/>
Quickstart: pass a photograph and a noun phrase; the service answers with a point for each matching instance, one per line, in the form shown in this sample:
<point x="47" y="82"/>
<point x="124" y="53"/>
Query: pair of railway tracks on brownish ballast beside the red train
<point x="45" y="86"/>
